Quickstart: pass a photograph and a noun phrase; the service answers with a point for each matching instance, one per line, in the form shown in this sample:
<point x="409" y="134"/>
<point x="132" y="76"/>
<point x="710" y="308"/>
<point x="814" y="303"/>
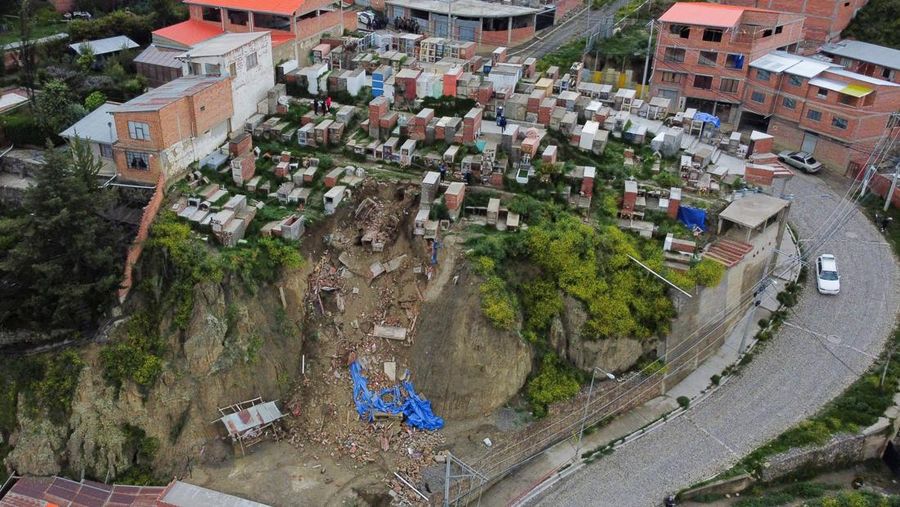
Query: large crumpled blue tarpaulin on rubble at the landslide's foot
<point x="393" y="400"/>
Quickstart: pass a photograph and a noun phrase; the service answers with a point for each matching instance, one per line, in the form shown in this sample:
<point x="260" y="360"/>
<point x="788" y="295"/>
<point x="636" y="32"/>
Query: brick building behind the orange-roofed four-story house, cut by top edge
<point x="825" y="19"/>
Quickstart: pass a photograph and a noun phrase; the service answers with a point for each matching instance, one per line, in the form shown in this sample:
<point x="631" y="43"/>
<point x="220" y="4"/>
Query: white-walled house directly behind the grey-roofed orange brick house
<point x="246" y="58"/>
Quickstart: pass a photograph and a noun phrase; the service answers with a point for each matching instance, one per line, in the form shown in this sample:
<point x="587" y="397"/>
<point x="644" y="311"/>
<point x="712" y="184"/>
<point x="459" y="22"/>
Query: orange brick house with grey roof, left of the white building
<point x="162" y="132"/>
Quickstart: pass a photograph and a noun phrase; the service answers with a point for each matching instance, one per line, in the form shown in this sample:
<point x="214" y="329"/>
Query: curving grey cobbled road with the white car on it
<point x="795" y="375"/>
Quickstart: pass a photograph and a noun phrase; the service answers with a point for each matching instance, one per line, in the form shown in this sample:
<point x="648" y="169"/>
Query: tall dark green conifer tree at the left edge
<point x="66" y="260"/>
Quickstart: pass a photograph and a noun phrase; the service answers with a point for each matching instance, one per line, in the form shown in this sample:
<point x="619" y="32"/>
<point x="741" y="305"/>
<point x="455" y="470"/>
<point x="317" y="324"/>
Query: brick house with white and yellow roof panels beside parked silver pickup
<point x="820" y="108"/>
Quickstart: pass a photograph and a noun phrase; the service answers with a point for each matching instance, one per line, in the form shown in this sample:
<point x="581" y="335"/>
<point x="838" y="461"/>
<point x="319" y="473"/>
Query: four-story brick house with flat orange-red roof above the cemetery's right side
<point x="703" y="50"/>
